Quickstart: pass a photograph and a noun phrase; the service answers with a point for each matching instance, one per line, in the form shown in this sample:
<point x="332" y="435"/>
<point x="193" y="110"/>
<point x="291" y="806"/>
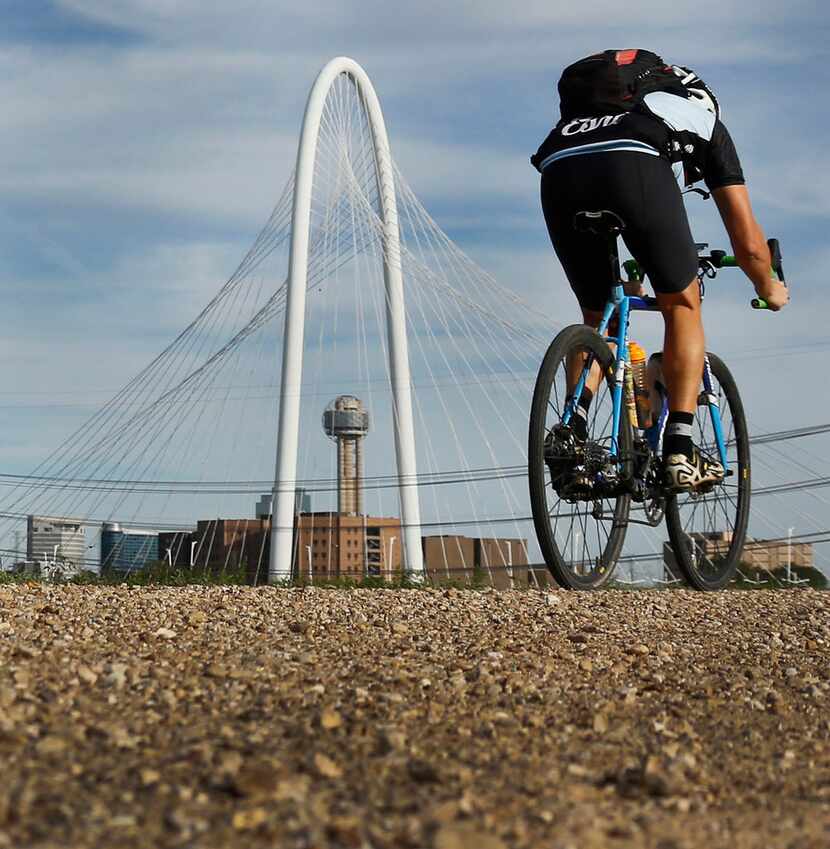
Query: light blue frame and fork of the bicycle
<point x="623" y="305"/>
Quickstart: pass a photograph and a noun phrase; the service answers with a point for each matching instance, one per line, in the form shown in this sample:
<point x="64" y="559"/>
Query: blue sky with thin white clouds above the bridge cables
<point x="144" y="143"/>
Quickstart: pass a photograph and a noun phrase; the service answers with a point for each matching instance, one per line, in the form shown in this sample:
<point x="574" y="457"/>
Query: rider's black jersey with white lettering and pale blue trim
<point x="666" y="124"/>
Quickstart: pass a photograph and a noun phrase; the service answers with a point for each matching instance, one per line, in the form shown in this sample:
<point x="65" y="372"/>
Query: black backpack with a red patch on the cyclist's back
<point x="614" y="81"/>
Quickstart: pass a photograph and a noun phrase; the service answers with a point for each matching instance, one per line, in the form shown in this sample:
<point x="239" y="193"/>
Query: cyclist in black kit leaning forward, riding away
<point x="631" y="126"/>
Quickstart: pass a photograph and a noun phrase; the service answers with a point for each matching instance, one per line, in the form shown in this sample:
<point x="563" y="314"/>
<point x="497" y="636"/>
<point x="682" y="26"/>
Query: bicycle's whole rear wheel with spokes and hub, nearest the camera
<point x="577" y="493"/>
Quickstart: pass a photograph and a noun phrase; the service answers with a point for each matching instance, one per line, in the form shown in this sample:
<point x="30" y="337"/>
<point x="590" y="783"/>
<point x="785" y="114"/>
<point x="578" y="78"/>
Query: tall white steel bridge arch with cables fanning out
<point x="285" y="482"/>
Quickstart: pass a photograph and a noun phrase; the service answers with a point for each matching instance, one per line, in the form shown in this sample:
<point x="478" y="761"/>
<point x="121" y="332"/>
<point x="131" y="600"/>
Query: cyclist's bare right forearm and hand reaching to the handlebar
<point x="749" y="244"/>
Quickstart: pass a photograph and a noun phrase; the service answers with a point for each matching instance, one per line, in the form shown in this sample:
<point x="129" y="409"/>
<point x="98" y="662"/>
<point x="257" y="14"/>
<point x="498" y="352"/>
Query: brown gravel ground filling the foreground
<point x="208" y="717"/>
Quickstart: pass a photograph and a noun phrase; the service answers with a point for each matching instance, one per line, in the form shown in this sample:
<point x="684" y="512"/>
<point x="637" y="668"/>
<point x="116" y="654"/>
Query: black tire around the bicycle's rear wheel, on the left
<point x="571" y="339"/>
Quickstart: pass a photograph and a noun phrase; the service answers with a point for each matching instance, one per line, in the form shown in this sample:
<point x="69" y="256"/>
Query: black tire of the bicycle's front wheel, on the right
<point x="689" y="554"/>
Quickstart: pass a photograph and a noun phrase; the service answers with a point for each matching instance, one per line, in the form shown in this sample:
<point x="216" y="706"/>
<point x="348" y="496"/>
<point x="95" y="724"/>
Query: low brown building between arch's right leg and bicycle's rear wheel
<point x="501" y="563"/>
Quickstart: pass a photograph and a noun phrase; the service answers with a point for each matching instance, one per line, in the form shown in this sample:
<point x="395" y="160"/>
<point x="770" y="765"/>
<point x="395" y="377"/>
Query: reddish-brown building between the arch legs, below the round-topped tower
<point x="329" y="546"/>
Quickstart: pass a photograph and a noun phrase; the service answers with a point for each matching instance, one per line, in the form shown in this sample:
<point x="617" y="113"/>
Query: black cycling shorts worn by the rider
<point x="643" y="191"/>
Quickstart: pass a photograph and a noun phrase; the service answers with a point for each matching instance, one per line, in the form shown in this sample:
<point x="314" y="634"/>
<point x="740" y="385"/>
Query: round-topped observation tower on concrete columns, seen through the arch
<point x="346" y="421"/>
